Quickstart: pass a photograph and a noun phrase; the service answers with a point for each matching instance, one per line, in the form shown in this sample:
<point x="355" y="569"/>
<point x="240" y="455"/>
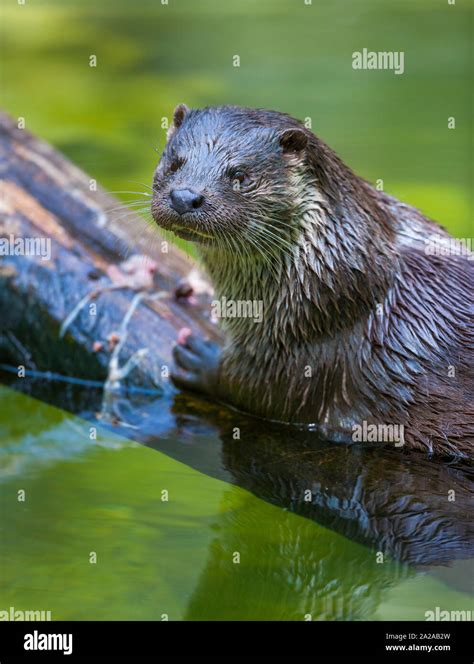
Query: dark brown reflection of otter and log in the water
<point x="412" y="509"/>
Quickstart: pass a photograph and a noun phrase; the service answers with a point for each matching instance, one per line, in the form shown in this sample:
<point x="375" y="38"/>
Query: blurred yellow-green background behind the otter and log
<point x="294" y="57"/>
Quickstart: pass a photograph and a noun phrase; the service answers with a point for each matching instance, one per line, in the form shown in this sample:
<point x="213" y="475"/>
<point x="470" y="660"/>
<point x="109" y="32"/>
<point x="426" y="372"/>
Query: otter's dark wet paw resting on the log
<point x="197" y="361"/>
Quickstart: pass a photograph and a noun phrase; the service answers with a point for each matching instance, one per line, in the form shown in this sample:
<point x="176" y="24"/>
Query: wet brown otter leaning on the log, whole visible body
<point x="365" y="324"/>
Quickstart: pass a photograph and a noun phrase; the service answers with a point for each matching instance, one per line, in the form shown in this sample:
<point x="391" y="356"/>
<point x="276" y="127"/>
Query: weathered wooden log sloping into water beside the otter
<point x="48" y="200"/>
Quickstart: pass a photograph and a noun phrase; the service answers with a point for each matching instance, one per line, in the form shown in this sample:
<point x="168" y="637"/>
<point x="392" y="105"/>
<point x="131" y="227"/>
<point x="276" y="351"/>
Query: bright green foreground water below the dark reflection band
<point x="211" y="551"/>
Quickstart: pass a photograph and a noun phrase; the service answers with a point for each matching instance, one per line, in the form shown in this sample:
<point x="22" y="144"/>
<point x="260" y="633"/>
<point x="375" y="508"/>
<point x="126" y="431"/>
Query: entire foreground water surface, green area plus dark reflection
<point x="235" y="539"/>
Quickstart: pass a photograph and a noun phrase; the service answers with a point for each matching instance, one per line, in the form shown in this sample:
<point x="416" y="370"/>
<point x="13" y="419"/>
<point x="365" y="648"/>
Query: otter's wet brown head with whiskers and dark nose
<point x="225" y="175"/>
